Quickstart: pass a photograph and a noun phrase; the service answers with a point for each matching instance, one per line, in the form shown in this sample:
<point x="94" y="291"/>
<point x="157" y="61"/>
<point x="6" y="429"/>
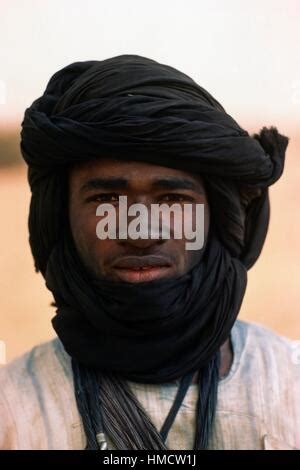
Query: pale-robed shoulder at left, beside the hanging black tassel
<point x="33" y="391"/>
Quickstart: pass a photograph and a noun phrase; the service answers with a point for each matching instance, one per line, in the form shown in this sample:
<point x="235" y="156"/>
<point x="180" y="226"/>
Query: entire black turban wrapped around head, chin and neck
<point x="133" y="108"/>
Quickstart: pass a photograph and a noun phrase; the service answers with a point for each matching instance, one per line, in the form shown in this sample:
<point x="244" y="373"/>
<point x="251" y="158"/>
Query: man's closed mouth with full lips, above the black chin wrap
<point x="142" y="268"/>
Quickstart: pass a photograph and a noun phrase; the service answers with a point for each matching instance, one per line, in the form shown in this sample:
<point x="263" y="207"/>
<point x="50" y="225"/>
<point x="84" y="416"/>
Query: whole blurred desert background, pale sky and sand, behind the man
<point x="248" y="58"/>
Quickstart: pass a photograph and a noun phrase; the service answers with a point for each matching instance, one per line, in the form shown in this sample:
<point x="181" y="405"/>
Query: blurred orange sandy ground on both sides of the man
<point x="272" y="297"/>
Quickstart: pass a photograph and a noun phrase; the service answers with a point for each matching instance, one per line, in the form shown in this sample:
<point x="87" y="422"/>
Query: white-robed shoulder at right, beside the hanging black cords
<point x="261" y="393"/>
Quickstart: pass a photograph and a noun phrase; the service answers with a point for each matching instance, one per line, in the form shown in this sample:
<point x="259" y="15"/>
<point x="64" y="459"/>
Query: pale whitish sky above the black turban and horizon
<point x="245" y="54"/>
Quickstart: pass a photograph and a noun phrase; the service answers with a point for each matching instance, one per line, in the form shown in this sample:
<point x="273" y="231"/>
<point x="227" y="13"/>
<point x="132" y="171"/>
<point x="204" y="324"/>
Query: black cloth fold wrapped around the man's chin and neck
<point x="149" y="332"/>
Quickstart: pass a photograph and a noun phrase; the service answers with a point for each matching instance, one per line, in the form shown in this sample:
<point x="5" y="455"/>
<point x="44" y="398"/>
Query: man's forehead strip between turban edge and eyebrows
<point x="129" y="169"/>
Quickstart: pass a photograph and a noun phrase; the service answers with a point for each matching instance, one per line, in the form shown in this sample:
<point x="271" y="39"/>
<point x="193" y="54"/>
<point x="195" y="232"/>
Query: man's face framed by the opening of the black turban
<point x="132" y="260"/>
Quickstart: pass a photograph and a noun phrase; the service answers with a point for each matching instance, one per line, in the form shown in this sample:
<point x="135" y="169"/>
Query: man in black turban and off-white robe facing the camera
<point x="148" y="354"/>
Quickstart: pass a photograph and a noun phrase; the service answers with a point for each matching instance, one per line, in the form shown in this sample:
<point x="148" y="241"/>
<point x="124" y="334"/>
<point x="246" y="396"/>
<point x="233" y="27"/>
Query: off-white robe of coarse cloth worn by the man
<point x="258" y="401"/>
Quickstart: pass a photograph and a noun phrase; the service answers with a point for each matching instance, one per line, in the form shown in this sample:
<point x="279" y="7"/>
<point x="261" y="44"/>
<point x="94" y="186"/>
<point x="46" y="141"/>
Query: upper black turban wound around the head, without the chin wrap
<point x="131" y="107"/>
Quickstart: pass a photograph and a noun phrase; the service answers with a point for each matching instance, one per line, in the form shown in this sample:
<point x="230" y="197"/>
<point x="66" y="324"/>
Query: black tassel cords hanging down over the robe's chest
<point x="108" y="406"/>
